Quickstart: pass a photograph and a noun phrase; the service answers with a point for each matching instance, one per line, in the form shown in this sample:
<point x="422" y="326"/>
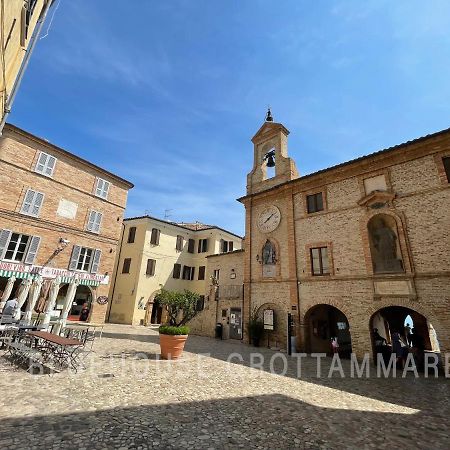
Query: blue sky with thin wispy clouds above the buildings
<point x="169" y="93"/>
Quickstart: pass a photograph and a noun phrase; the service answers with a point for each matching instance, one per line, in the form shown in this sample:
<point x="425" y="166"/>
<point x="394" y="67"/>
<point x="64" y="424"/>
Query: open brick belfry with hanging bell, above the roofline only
<point x="270" y="147"/>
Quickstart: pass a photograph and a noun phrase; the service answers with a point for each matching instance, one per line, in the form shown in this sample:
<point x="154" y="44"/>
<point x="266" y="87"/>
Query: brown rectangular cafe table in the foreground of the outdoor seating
<point x="60" y="350"/>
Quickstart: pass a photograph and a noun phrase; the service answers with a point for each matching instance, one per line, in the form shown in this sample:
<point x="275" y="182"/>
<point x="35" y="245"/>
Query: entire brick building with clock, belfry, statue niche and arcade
<point x="358" y="246"/>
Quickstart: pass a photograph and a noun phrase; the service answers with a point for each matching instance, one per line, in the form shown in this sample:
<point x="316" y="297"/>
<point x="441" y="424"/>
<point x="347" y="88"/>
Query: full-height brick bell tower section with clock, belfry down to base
<point x="270" y="276"/>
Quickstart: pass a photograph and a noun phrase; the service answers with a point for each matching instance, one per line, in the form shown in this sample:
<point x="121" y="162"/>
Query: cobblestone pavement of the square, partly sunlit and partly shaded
<point x="127" y="398"/>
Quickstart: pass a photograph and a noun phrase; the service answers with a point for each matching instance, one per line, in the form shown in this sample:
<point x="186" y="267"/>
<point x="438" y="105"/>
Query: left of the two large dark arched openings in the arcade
<point x="324" y="321"/>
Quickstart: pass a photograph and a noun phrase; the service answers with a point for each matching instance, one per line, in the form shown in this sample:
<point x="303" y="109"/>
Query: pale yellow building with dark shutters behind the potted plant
<point x="157" y="254"/>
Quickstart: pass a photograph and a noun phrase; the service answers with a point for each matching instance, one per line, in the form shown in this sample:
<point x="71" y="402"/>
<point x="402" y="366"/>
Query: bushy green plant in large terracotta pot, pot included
<point x="180" y="307"/>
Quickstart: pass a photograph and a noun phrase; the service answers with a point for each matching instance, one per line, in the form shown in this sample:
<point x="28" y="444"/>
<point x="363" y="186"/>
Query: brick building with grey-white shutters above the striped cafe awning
<point x="60" y="222"/>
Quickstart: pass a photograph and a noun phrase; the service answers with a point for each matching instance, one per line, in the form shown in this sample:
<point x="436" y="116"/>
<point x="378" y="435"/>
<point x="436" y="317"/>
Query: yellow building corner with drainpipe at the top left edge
<point x="20" y="22"/>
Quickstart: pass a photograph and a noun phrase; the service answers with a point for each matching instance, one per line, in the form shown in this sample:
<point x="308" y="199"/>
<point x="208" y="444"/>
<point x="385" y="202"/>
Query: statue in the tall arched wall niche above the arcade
<point x="384" y="242"/>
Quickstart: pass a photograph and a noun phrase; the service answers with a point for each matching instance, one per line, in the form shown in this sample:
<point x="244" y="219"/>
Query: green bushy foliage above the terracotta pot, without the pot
<point x="181" y="306"/>
